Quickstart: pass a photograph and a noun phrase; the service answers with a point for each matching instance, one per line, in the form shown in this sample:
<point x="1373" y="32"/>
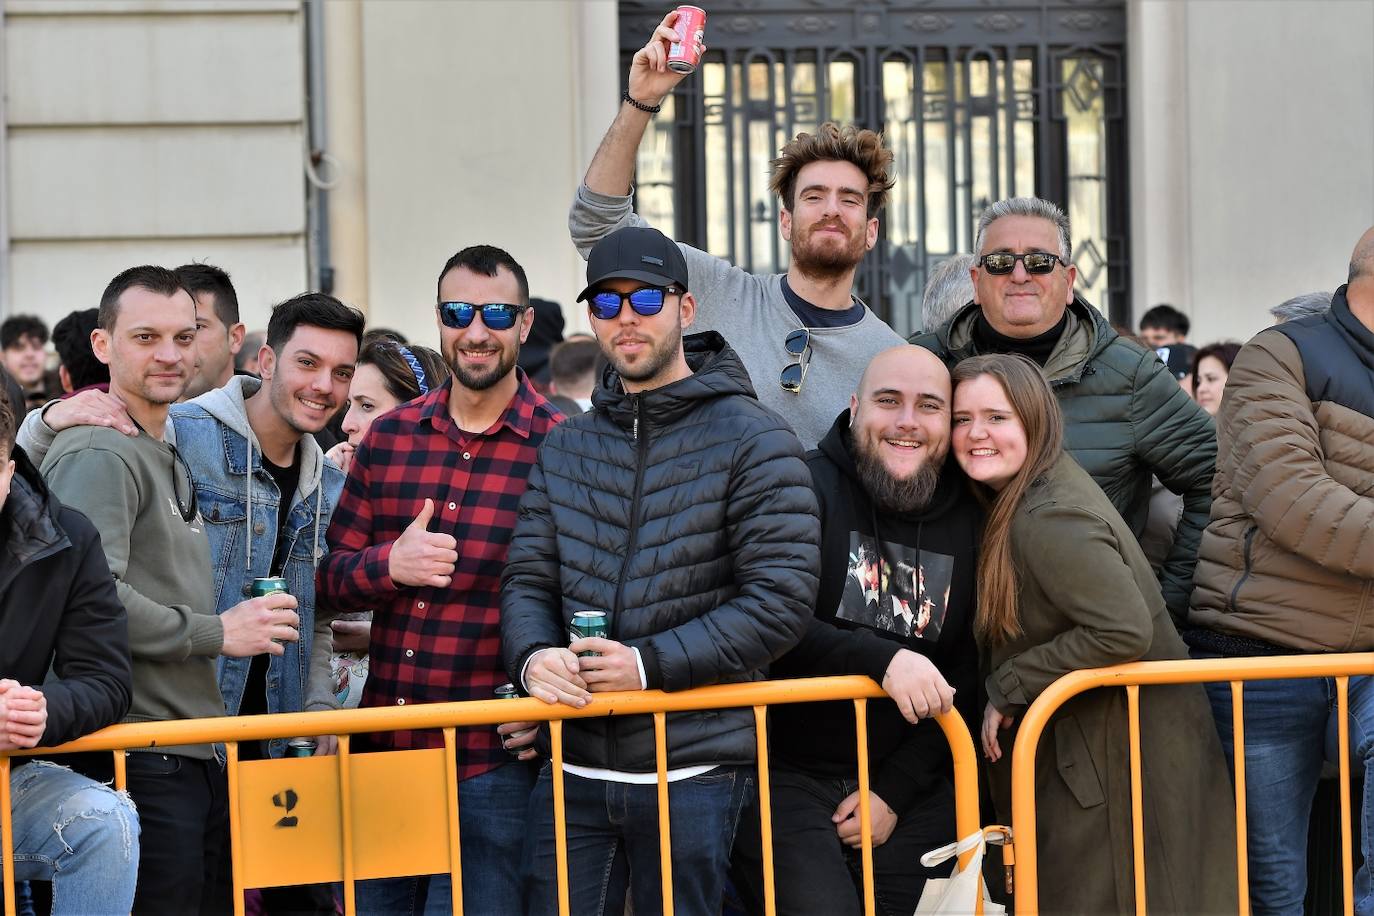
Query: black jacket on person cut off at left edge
<point x="58" y="609"/>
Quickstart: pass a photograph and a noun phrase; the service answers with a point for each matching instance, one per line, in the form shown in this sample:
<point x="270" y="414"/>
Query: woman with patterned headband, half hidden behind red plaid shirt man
<point x="388" y="376"/>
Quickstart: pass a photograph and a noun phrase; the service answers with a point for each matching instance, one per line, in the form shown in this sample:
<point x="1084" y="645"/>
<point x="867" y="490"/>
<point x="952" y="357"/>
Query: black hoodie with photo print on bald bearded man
<point x="857" y="632"/>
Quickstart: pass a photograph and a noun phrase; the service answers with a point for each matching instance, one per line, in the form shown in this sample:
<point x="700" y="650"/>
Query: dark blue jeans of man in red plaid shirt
<point x="491" y="819"/>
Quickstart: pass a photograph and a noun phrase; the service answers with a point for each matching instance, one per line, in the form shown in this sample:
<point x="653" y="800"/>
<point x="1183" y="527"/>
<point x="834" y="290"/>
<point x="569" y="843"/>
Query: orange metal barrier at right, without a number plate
<point x="1181" y="672"/>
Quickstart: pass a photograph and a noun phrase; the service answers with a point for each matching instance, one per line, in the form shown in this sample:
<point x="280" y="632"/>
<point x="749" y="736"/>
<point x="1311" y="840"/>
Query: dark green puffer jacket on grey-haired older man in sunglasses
<point x="1126" y="420"/>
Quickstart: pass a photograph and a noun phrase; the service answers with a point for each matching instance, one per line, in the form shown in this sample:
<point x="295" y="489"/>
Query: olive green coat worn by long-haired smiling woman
<point x="1090" y="599"/>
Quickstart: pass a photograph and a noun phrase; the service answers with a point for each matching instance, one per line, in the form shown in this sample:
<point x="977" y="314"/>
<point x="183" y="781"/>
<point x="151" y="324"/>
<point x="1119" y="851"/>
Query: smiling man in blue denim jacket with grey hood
<point x="245" y="444"/>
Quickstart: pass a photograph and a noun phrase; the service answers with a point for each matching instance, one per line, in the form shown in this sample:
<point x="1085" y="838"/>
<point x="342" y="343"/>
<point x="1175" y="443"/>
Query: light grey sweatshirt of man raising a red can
<point x="752" y="314"/>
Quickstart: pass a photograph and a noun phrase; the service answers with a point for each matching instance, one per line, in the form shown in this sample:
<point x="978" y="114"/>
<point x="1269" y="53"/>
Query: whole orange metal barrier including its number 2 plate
<point x="361" y="816"/>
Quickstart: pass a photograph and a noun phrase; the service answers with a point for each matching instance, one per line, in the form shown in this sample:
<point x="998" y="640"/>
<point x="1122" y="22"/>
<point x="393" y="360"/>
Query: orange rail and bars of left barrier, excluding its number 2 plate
<point x="449" y="716"/>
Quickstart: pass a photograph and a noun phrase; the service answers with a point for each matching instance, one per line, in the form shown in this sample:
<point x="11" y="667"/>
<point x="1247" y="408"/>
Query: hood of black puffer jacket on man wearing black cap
<point x="717" y="373"/>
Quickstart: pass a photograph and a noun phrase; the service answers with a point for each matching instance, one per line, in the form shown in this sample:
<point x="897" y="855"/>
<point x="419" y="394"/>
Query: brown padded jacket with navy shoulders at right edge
<point x="1288" y="557"/>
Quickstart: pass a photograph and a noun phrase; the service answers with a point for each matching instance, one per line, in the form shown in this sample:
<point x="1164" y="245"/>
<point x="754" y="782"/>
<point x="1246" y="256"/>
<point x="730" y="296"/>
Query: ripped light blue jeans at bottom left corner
<point x="78" y="834"/>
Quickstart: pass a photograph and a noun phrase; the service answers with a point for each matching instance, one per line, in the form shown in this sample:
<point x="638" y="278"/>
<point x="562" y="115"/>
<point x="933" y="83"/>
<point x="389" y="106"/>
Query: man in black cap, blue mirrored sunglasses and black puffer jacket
<point x="684" y="510"/>
